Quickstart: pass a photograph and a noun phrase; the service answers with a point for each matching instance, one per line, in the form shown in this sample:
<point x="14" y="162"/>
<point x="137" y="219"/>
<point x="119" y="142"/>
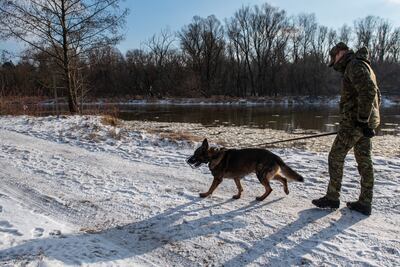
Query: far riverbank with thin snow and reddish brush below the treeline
<point x="19" y="105"/>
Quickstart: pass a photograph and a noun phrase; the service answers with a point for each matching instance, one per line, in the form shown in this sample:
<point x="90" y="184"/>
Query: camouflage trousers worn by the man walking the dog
<point x="347" y="138"/>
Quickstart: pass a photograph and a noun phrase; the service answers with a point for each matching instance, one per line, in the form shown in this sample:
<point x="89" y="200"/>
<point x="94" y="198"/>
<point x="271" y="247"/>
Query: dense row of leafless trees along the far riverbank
<point x="259" y="51"/>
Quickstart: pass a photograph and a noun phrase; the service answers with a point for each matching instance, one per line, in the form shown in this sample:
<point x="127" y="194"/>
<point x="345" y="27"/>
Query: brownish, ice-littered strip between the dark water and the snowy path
<point x="232" y="136"/>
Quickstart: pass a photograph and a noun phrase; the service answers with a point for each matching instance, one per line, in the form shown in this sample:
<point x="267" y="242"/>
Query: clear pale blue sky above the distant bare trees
<point x="148" y="17"/>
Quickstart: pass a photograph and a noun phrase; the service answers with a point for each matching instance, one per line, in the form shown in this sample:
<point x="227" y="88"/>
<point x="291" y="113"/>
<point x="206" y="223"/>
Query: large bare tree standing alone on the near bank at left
<point x="66" y="30"/>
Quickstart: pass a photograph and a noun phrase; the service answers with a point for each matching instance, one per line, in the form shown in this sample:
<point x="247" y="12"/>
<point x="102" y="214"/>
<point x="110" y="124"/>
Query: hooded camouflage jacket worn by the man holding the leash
<point x="360" y="95"/>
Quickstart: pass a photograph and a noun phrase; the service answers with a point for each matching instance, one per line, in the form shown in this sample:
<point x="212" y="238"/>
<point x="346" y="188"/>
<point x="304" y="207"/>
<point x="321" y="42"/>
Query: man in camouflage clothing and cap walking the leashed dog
<point x="359" y="110"/>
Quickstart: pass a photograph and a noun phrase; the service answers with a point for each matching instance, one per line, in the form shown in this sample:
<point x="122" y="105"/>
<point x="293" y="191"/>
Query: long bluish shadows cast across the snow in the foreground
<point x="170" y="227"/>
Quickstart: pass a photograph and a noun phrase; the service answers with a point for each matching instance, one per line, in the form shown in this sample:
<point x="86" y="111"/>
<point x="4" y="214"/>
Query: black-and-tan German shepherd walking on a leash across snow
<point x="237" y="163"/>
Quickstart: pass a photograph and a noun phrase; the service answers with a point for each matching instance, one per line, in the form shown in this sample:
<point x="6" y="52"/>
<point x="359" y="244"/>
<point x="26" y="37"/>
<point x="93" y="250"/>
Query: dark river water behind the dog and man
<point x="280" y="117"/>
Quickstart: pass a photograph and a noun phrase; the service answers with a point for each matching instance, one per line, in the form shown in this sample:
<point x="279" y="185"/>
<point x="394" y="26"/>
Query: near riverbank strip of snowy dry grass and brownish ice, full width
<point x="190" y="133"/>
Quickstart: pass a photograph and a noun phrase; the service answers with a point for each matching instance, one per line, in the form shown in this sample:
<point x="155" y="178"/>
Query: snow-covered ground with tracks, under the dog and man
<point x="74" y="191"/>
